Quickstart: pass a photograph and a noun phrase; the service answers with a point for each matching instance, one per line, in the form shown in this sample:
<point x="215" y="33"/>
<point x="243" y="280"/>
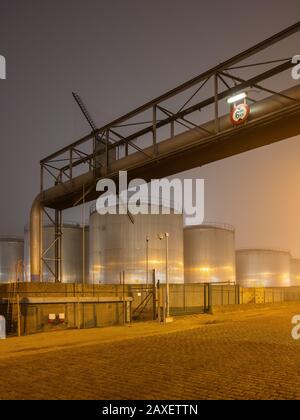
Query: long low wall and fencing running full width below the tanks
<point x="184" y="298"/>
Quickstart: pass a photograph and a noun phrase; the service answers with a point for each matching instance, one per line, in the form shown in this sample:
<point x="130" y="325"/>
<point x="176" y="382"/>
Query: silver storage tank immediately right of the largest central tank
<point x="209" y="254"/>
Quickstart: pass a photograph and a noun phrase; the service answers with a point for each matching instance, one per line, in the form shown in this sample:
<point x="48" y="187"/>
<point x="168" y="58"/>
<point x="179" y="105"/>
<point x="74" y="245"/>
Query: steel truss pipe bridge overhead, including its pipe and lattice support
<point x="162" y="138"/>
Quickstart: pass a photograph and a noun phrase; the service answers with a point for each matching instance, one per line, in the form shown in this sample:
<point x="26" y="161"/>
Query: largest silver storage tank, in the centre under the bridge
<point x="117" y="245"/>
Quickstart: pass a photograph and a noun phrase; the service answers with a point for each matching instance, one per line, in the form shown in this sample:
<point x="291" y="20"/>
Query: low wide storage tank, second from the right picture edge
<point x="263" y="268"/>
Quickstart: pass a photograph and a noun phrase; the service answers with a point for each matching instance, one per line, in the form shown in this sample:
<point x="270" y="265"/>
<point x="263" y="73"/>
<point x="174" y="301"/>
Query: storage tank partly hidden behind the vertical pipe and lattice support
<point x="72" y="253"/>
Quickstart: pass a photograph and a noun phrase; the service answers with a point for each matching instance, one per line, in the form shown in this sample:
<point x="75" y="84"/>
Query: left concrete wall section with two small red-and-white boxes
<point x="35" y="317"/>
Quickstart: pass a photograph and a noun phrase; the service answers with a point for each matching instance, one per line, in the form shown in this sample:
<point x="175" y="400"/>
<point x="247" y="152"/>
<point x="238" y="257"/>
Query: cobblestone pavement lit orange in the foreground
<point x="242" y="355"/>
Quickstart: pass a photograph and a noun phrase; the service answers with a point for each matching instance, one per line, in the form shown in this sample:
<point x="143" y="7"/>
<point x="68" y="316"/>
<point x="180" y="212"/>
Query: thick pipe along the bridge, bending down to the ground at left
<point x="188" y="139"/>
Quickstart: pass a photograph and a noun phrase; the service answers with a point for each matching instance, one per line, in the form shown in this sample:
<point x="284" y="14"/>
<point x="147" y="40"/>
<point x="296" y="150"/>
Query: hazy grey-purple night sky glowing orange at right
<point x="119" y="54"/>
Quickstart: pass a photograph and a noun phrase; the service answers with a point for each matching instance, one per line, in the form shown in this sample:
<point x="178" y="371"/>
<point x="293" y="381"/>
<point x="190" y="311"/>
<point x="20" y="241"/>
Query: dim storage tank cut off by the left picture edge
<point x="11" y="259"/>
